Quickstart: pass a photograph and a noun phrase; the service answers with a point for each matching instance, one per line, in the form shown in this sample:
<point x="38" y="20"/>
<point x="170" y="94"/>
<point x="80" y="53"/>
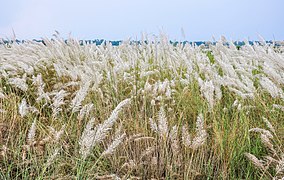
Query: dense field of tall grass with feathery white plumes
<point x="141" y="111"/>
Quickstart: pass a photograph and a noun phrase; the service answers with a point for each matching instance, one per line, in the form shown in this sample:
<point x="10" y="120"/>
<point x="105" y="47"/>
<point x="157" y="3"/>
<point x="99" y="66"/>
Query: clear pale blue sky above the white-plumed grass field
<point x="122" y="19"/>
